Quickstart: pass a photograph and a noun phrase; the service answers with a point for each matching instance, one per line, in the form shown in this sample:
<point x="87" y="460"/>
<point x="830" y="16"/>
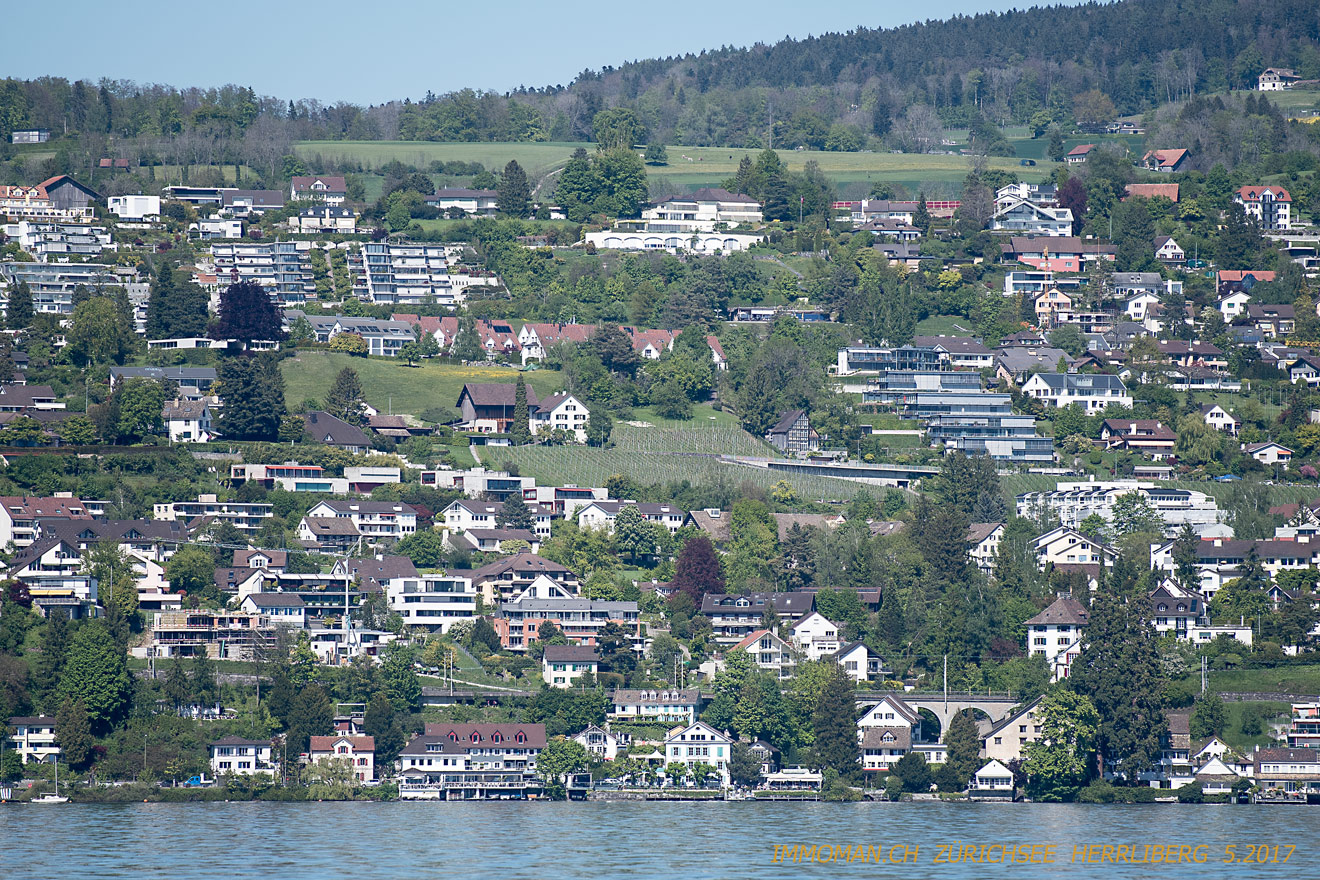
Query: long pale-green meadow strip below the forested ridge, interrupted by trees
<point x="690" y="167"/>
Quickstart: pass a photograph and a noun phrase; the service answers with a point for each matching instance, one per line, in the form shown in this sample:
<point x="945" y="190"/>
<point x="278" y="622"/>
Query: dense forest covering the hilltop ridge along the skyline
<point x="1043" y="68"/>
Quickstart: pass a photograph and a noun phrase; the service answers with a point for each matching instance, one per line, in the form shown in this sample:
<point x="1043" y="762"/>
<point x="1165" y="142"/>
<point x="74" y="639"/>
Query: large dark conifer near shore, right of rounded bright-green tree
<point x="1120" y="672"/>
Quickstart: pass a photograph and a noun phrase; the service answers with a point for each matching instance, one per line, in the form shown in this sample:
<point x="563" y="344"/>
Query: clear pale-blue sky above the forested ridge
<point x="374" y="52"/>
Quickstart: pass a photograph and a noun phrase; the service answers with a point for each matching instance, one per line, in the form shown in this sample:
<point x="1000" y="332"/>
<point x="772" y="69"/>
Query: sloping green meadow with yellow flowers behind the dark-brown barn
<point x="393" y="387"/>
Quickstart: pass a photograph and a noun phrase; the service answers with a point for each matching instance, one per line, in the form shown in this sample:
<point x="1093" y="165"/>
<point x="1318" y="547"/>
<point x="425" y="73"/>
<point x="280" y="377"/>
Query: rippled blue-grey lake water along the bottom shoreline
<point x="513" y="841"/>
